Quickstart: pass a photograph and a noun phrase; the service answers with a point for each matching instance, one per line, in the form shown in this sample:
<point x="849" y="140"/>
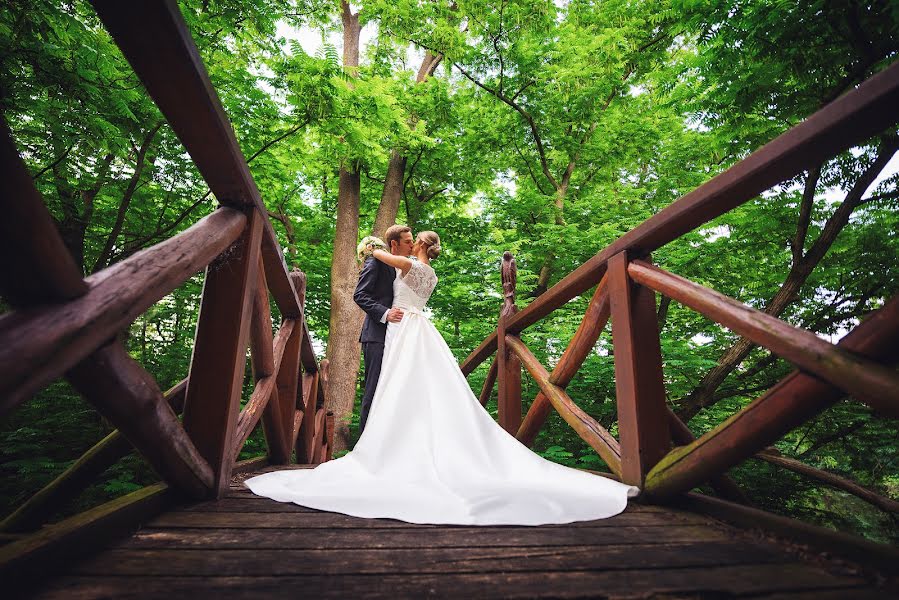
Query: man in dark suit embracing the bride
<point x="374" y="295"/>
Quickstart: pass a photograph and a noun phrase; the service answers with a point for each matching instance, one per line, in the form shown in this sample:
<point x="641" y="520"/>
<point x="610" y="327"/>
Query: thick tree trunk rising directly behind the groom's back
<point x="346" y="318"/>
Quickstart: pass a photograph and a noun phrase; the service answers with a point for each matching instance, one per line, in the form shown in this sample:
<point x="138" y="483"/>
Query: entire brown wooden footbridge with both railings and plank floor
<point x="201" y="533"/>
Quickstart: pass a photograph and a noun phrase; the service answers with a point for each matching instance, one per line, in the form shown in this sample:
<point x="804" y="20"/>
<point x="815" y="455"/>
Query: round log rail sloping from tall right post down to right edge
<point x="865" y="379"/>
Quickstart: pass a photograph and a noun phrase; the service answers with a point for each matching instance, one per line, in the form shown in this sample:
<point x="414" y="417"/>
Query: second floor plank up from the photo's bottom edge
<point x="260" y="562"/>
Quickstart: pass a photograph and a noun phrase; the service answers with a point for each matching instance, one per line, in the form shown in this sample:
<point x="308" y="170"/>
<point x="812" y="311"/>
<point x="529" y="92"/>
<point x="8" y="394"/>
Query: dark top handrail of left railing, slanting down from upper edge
<point x="156" y="42"/>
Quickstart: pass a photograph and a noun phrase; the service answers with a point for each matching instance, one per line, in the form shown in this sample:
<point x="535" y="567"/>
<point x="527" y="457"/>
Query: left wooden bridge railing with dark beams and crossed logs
<point x="65" y="326"/>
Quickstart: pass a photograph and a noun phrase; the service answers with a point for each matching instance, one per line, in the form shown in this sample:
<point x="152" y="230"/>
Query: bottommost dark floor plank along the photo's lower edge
<point x="708" y="582"/>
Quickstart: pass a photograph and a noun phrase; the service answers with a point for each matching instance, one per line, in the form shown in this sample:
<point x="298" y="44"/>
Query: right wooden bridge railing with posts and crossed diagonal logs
<point x="656" y="451"/>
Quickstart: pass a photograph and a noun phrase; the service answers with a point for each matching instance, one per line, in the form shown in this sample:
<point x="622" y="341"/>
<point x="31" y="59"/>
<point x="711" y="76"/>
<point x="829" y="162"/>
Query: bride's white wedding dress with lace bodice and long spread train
<point x="430" y="453"/>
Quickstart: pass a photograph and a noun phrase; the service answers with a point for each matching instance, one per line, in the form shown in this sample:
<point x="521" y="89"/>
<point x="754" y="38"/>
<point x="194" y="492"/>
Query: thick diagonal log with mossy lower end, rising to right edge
<point x="797" y="398"/>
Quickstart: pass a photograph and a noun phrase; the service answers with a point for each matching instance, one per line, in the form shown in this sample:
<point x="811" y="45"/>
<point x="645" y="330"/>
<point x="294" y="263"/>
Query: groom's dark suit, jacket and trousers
<point x="374" y="295"/>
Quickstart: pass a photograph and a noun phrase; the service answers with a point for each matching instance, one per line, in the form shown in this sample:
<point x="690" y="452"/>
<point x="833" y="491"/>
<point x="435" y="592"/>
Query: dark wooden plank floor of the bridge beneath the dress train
<point x="245" y="546"/>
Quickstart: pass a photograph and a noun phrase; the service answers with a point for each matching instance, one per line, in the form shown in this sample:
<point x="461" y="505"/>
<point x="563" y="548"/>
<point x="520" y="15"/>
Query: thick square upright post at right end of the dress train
<point x="640" y="390"/>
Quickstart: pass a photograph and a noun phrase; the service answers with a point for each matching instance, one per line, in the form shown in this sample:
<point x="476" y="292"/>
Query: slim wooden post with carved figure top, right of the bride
<point x="508" y="363"/>
